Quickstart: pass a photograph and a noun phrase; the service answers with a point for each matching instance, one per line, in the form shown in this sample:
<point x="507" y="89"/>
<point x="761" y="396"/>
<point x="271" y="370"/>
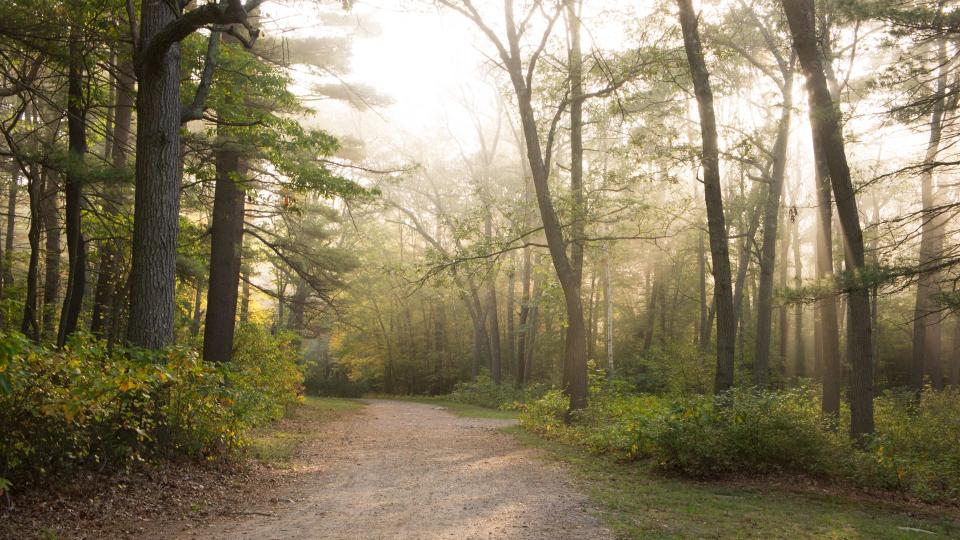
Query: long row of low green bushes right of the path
<point x="916" y="449"/>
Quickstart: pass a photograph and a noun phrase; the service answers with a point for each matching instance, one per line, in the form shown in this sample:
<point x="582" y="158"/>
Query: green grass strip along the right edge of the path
<point x="637" y="502"/>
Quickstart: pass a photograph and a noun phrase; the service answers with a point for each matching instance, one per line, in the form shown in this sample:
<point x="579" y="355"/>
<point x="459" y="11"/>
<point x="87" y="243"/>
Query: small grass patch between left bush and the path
<point x="277" y="443"/>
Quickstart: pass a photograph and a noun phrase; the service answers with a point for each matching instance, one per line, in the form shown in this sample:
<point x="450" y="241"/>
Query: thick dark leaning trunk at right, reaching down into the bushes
<point x="828" y="142"/>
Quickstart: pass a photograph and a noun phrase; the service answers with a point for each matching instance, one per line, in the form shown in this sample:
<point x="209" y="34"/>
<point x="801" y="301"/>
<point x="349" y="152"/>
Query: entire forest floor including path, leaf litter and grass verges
<point x="410" y="469"/>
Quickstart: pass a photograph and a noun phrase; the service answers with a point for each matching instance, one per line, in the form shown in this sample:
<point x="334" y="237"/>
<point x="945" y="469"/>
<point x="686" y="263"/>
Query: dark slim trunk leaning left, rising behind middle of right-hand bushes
<point x="713" y="195"/>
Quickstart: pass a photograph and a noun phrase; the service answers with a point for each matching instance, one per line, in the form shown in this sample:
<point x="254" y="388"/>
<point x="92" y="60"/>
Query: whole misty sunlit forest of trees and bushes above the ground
<point x="716" y="239"/>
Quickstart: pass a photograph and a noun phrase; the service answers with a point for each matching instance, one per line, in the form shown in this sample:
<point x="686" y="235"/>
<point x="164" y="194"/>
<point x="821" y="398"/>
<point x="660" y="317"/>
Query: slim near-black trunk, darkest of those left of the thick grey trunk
<point x="73" y="191"/>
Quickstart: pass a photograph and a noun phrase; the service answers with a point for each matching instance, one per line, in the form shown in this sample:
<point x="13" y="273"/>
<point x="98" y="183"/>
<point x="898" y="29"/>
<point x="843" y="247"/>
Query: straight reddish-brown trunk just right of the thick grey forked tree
<point x="226" y="245"/>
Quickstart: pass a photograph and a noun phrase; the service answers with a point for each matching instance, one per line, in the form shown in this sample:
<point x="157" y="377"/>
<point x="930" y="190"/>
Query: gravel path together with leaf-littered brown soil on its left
<point x="394" y="469"/>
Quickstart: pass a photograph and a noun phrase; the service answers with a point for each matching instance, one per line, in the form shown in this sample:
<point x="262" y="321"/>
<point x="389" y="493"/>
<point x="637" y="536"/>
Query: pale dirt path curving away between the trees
<point x="408" y="470"/>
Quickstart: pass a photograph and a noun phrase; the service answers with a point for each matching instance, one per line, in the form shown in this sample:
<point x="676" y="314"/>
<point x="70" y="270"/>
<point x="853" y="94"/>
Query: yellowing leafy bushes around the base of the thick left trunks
<point x="84" y="406"/>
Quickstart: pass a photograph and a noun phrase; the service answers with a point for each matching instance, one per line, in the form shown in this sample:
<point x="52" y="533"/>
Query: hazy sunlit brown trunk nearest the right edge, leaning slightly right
<point x="926" y="321"/>
